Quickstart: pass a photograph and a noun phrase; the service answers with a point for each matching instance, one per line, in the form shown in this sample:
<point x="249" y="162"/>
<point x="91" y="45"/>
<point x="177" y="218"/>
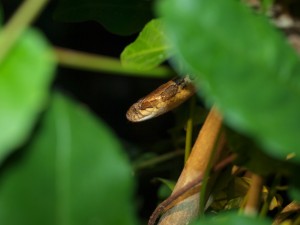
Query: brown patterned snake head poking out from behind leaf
<point x="163" y="99"/>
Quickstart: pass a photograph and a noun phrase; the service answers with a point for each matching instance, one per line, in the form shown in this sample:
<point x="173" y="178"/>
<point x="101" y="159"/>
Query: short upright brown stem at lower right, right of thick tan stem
<point x="254" y="195"/>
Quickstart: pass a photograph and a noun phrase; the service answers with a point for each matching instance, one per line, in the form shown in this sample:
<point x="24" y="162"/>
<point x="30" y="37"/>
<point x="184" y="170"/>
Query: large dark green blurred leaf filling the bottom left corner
<point x="72" y="172"/>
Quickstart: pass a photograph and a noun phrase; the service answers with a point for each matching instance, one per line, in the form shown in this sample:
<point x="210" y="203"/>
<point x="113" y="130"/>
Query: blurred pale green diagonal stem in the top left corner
<point x="25" y="14"/>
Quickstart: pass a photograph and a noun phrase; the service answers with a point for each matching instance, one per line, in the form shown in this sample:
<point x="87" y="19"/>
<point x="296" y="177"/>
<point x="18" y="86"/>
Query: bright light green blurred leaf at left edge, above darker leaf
<point x="25" y="76"/>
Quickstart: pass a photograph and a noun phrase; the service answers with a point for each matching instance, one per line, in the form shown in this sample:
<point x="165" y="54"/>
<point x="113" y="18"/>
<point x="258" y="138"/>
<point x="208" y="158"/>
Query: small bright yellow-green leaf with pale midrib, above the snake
<point x="149" y="49"/>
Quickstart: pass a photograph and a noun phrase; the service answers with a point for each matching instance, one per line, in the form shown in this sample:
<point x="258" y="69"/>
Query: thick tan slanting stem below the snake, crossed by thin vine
<point x="186" y="206"/>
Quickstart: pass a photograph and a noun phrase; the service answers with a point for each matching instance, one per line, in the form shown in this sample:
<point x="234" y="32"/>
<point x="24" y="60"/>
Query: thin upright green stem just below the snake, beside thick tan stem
<point x="189" y="129"/>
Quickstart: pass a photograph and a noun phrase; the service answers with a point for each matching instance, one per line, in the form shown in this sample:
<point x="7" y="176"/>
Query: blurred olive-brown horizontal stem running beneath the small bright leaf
<point x="93" y="62"/>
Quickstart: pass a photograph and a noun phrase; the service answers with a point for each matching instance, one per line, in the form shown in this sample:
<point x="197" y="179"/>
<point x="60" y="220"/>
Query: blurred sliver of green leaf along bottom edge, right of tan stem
<point x="231" y="219"/>
